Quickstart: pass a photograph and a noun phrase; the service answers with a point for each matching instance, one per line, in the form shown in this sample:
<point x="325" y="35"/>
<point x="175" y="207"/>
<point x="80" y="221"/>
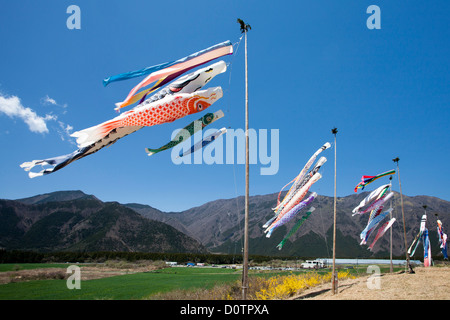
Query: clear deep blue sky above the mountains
<point x="313" y="65"/>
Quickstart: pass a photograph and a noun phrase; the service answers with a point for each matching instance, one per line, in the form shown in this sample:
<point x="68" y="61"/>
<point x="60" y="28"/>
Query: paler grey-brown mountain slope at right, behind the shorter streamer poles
<point x="219" y="226"/>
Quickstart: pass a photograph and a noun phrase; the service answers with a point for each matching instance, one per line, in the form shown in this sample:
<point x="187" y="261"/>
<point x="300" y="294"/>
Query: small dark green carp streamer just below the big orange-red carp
<point x="188" y="131"/>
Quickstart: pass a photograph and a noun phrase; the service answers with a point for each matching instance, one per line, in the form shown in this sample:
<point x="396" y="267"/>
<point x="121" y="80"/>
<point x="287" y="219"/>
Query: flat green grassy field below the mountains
<point x="125" y="287"/>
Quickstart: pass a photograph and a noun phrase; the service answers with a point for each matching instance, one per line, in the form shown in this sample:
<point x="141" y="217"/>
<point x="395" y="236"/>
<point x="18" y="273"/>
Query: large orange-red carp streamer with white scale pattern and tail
<point x="168" y="109"/>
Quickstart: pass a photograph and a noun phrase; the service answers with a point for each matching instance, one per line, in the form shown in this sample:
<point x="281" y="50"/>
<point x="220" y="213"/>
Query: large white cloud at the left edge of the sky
<point x="12" y="107"/>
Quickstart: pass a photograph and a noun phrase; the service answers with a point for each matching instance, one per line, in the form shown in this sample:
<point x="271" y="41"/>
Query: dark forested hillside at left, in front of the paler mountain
<point x="73" y="221"/>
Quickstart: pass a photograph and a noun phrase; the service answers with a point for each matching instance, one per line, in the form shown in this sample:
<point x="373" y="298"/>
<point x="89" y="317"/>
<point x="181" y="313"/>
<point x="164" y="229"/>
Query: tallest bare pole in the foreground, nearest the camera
<point x="244" y="29"/>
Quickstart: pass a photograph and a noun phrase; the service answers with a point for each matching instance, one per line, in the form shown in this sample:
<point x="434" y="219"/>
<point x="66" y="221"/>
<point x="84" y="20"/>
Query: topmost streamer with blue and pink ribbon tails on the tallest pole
<point x="166" y="72"/>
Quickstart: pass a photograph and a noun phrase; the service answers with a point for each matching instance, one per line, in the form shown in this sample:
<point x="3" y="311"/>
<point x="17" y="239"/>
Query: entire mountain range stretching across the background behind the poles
<point x="74" y="221"/>
